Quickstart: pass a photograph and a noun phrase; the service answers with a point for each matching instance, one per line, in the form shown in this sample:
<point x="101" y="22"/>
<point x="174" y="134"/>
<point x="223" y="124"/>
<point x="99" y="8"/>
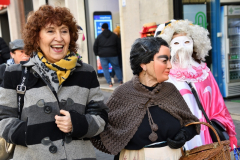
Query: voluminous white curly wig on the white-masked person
<point x="201" y="41"/>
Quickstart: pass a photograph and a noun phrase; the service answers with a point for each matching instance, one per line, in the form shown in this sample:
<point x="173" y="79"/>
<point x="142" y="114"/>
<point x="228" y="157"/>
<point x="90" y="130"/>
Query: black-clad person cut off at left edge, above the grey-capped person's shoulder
<point x="4" y="51"/>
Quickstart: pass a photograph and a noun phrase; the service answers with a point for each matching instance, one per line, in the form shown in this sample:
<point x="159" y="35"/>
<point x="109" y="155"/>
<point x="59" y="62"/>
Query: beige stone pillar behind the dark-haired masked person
<point x="132" y="17"/>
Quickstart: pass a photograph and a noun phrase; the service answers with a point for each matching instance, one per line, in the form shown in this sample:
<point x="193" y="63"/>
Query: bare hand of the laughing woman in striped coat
<point x="64" y="122"/>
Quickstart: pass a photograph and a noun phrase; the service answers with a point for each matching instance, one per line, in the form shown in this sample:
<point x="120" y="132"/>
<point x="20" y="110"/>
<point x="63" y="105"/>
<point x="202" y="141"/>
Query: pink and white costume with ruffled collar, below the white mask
<point x="208" y="92"/>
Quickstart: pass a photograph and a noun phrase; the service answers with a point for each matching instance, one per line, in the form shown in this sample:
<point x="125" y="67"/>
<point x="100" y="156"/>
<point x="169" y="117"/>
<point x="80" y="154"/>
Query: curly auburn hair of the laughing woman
<point x="48" y="15"/>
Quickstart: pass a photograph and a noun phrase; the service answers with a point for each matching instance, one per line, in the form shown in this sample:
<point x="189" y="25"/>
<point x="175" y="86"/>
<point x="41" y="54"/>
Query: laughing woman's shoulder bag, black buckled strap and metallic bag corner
<point x="7" y="149"/>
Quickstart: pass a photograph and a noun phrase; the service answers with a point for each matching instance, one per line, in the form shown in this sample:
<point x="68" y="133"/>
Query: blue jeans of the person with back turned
<point x="114" y="62"/>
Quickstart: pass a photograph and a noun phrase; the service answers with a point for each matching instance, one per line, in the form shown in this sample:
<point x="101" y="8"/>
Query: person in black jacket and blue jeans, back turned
<point x="107" y="47"/>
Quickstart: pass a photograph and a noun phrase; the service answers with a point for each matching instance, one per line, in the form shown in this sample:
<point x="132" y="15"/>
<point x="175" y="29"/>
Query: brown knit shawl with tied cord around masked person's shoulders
<point x="127" y="107"/>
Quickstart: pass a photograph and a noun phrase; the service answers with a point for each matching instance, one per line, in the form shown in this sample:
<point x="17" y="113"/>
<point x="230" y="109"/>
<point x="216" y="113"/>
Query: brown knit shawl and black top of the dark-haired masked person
<point x="131" y="104"/>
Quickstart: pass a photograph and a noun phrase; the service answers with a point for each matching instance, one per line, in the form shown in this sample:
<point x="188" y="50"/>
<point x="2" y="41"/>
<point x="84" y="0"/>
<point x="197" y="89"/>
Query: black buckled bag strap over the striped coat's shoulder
<point x="21" y="89"/>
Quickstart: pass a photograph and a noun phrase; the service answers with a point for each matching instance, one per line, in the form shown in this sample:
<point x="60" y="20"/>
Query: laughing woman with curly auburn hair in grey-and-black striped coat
<point x="57" y="106"/>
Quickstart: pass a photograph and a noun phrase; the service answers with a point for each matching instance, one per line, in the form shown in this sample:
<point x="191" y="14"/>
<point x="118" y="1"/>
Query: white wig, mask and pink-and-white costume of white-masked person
<point x="201" y="78"/>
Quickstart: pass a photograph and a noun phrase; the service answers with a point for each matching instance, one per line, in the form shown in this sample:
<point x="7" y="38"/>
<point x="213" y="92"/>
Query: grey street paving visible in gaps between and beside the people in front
<point x="233" y="109"/>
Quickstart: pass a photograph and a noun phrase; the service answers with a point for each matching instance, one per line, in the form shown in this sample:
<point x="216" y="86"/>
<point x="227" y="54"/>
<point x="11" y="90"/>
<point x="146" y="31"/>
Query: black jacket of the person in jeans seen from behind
<point x="107" y="44"/>
